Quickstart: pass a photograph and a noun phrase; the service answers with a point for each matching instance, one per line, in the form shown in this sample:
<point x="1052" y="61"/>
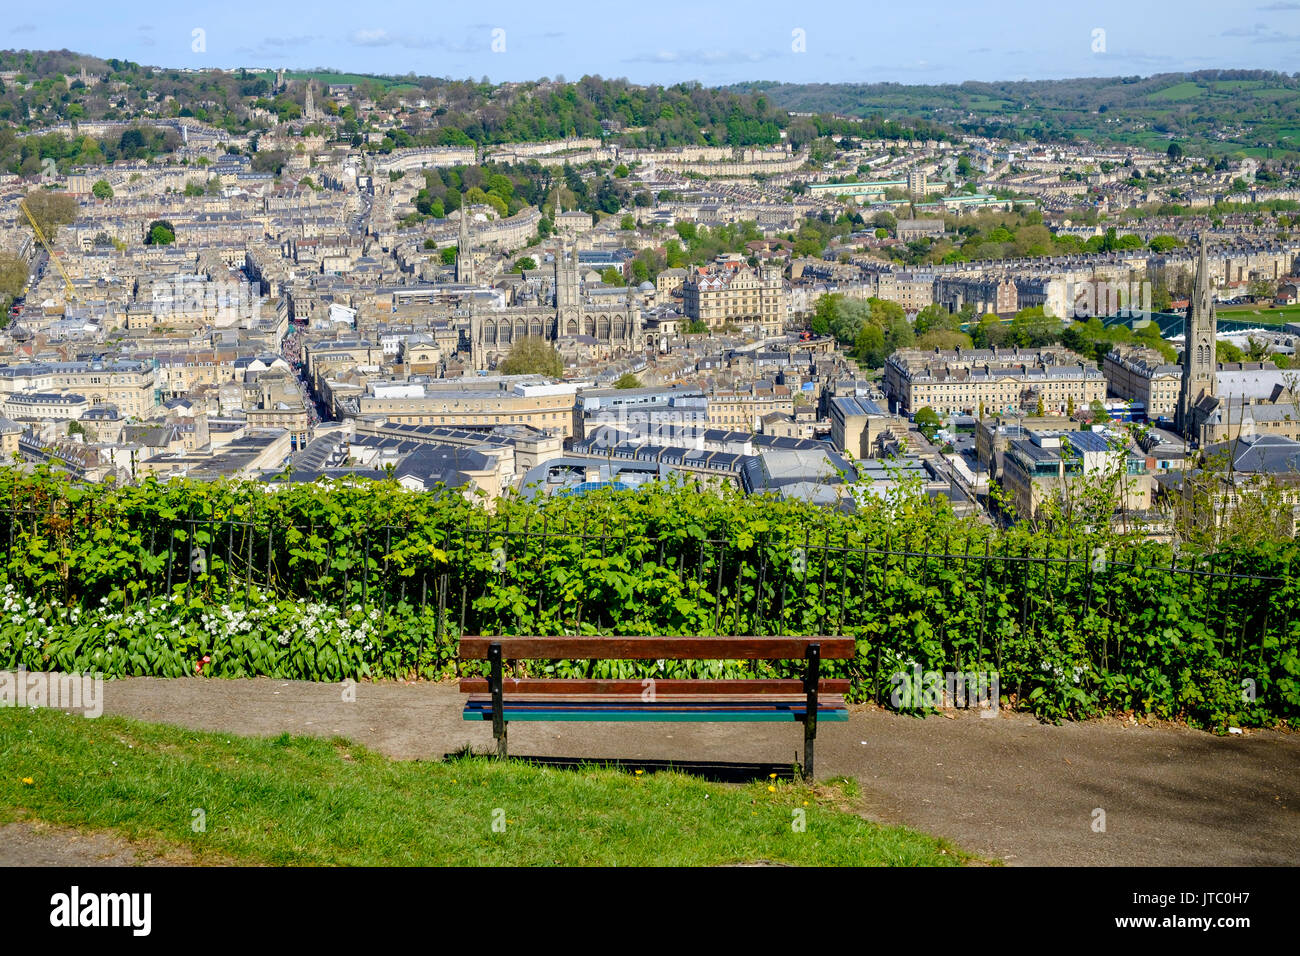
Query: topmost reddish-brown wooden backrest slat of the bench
<point x="475" y="648"/>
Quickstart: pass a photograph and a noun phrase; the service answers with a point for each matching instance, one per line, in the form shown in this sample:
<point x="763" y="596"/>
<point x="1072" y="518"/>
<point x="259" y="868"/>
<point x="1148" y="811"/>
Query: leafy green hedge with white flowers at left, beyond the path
<point x="359" y="581"/>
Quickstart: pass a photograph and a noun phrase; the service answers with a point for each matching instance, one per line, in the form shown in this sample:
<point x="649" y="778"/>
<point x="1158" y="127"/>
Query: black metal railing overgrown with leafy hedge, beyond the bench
<point x="974" y="605"/>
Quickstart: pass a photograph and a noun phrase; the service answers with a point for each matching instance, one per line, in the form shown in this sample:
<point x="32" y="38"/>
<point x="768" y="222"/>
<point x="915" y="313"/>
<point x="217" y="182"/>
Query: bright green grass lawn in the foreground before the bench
<point x="311" y="802"/>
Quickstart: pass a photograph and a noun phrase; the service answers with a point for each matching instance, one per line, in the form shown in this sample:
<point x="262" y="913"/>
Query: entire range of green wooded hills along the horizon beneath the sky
<point x="1212" y="113"/>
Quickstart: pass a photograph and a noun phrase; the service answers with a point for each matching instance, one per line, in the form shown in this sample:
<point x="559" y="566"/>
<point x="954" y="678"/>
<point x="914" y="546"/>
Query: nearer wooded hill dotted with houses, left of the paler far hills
<point x="45" y="90"/>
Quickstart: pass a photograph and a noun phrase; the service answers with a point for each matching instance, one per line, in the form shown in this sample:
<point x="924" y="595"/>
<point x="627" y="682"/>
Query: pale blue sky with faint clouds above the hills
<point x="671" y="41"/>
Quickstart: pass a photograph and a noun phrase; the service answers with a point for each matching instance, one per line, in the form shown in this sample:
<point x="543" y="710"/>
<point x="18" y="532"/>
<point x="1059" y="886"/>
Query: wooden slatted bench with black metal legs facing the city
<point x="502" y="699"/>
